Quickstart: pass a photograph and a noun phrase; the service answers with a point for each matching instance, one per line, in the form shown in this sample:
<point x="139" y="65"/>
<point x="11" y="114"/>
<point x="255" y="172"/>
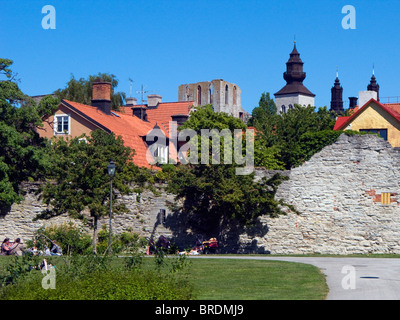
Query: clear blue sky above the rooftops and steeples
<point x="162" y="44"/>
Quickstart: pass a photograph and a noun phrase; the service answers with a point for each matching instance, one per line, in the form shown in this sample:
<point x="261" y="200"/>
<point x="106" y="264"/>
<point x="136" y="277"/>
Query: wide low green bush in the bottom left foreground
<point x="94" y="278"/>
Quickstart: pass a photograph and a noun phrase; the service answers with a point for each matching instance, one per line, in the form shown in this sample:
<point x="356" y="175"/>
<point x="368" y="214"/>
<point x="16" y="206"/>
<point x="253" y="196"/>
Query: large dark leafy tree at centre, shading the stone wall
<point x="212" y="196"/>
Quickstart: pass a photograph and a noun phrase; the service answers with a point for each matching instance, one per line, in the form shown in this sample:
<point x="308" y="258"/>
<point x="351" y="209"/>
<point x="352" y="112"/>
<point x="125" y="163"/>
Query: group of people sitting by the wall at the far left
<point x="18" y="248"/>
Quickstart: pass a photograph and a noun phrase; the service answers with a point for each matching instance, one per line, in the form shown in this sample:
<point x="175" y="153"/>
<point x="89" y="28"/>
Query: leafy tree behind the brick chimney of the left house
<point x="81" y="90"/>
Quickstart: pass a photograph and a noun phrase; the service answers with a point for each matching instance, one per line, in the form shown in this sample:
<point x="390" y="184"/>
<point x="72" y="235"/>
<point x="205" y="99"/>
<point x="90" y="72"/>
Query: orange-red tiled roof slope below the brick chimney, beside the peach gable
<point x="130" y="128"/>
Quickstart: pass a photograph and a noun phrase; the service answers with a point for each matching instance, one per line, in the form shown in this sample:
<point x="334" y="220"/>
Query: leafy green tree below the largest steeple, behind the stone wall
<point x="282" y="133"/>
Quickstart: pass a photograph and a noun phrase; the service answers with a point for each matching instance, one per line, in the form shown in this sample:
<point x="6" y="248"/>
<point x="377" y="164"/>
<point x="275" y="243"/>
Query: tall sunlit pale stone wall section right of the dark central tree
<point x="339" y="194"/>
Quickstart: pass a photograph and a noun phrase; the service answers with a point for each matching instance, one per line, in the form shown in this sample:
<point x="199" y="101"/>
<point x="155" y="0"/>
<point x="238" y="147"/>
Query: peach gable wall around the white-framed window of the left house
<point x="78" y="125"/>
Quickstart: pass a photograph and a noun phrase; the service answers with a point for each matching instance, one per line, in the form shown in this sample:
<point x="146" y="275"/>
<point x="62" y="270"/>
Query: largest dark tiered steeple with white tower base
<point x="294" y="92"/>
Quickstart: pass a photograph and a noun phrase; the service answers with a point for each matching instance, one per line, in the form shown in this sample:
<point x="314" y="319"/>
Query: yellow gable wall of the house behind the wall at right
<point x="374" y="117"/>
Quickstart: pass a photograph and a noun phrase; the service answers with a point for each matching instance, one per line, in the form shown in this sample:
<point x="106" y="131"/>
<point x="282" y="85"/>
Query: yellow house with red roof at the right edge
<point x="374" y="117"/>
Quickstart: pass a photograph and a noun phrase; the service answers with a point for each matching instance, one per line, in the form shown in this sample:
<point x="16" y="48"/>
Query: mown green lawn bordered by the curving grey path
<point x="230" y="279"/>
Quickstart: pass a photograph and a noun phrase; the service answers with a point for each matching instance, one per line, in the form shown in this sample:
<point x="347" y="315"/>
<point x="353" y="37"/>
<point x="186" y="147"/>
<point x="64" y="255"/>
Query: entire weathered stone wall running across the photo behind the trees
<point x="340" y="194"/>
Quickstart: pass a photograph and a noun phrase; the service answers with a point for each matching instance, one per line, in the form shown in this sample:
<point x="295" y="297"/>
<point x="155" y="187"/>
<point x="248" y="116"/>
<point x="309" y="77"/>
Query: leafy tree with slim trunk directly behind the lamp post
<point x="79" y="181"/>
